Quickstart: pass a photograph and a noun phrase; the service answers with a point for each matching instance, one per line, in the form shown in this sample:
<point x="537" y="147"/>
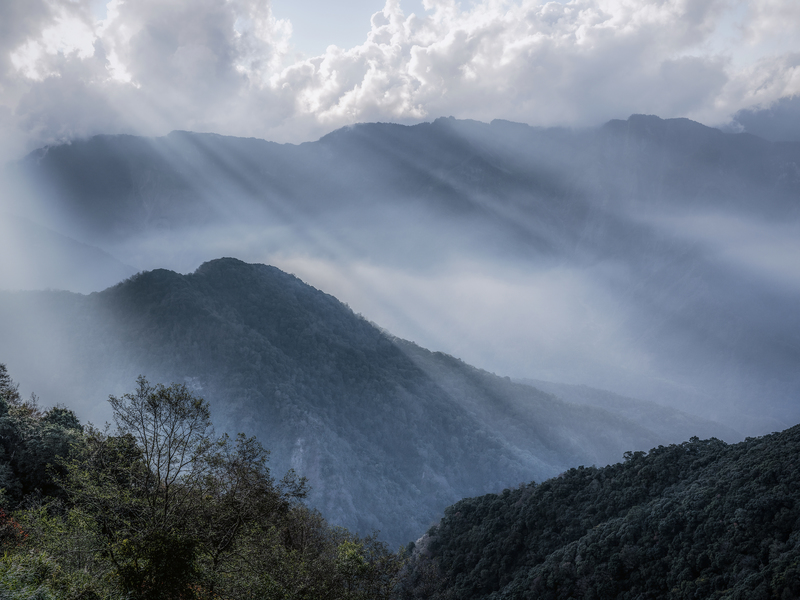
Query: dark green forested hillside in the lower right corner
<point x="702" y="519"/>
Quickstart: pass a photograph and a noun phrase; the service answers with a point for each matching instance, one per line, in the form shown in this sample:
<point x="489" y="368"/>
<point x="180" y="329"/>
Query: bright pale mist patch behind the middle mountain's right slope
<point x="557" y="322"/>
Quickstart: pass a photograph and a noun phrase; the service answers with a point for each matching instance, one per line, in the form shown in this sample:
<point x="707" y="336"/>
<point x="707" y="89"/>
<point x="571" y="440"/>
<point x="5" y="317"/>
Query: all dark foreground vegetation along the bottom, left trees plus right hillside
<point x="159" y="507"/>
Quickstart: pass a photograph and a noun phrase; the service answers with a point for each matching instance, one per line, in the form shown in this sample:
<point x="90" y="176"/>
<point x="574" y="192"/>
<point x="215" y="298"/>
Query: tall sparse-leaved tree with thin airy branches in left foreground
<point x="141" y="485"/>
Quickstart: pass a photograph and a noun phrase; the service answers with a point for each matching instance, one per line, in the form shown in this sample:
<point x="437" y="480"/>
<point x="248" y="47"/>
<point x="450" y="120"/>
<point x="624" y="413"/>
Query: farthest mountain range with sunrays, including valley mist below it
<point x="648" y="257"/>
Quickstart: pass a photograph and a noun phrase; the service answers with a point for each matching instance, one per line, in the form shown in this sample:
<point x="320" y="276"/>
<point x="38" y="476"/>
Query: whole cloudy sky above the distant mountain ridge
<point x="293" y="71"/>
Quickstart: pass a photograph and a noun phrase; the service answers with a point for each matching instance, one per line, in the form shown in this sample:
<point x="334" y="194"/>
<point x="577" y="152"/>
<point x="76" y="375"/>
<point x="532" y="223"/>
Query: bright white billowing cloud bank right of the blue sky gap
<point x="575" y="63"/>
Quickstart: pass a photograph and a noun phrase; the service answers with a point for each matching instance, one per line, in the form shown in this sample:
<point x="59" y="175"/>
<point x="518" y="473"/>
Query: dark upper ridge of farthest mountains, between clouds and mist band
<point x="108" y="187"/>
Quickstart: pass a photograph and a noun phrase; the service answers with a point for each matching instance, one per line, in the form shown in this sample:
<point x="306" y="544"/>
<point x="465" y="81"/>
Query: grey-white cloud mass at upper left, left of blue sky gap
<point x="148" y="67"/>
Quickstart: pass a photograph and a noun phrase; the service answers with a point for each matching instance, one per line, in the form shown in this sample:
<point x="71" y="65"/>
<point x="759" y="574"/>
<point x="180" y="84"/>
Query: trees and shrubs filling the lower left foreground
<point x="161" y="508"/>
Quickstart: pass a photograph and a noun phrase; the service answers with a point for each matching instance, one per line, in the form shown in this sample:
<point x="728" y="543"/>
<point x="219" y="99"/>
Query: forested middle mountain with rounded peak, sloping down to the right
<point x="388" y="433"/>
